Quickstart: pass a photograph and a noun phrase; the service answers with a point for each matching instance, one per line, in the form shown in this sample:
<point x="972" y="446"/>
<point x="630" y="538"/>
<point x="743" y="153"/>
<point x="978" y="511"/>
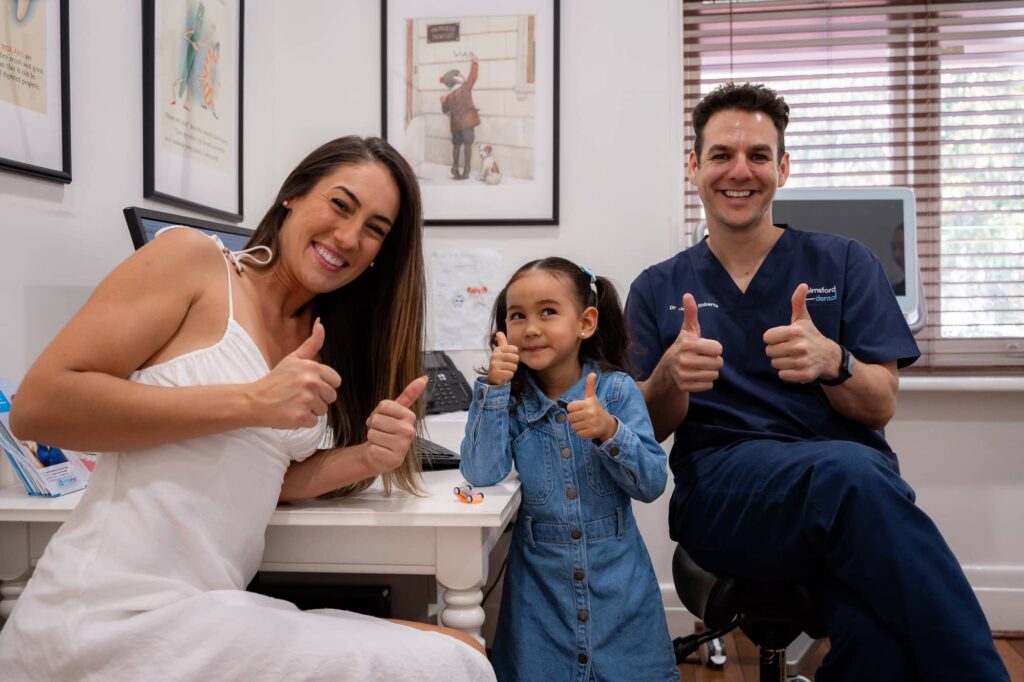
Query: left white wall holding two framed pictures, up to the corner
<point x="58" y="241"/>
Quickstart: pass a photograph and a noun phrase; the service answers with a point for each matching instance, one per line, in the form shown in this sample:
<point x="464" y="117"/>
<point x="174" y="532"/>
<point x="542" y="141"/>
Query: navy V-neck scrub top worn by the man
<point x="850" y="302"/>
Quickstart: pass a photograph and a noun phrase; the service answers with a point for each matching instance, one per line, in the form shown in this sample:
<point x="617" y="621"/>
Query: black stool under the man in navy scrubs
<point x="773" y="615"/>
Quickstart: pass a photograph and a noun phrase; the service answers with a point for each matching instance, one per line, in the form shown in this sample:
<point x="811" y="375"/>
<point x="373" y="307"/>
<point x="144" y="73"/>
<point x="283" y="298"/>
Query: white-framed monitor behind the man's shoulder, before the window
<point x="884" y="220"/>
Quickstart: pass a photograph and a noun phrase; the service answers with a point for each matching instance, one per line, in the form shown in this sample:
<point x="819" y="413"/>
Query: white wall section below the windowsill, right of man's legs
<point x="964" y="455"/>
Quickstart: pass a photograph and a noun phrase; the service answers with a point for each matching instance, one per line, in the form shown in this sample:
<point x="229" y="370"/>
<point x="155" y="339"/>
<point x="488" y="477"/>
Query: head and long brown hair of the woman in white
<point x="347" y="230"/>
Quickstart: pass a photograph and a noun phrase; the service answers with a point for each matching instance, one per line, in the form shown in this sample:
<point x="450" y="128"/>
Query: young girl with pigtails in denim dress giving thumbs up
<point x="581" y="602"/>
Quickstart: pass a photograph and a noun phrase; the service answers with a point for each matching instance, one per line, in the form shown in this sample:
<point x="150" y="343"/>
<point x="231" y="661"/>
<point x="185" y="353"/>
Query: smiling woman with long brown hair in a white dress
<point x="210" y="397"/>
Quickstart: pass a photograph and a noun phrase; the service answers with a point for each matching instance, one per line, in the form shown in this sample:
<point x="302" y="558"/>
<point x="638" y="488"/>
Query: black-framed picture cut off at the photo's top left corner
<point x="35" y="113"/>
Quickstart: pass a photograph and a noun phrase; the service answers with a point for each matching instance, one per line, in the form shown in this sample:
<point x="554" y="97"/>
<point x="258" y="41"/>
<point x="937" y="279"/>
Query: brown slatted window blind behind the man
<point x="928" y="96"/>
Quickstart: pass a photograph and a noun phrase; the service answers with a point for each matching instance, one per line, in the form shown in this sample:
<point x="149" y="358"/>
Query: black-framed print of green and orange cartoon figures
<point x="192" y="104"/>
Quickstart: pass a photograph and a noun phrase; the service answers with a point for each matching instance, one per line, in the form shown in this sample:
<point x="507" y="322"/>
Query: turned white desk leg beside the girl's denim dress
<point x="462" y="570"/>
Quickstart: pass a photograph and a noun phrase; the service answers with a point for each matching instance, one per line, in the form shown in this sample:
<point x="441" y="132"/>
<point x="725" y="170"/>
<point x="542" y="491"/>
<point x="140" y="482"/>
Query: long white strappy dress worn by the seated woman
<point x="146" y="581"/>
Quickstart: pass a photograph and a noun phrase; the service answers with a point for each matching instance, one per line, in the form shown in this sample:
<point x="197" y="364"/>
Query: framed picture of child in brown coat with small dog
<point x="471" y="99"/>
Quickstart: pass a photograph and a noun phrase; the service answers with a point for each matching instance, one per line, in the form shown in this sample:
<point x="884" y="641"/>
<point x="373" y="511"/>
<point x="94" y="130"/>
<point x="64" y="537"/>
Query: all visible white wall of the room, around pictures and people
<point x="313" y="74"/>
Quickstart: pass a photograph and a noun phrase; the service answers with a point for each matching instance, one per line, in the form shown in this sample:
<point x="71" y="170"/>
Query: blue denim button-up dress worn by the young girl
<point x="581" y="602"/>
